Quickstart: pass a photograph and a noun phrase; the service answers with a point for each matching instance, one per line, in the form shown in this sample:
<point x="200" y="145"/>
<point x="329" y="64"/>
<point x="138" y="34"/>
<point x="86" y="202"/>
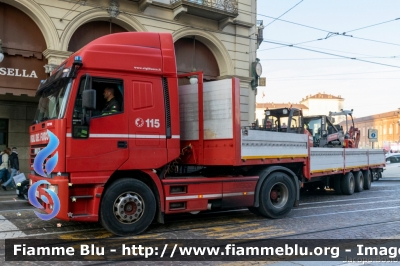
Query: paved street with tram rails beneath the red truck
<point x="372" y="214"/>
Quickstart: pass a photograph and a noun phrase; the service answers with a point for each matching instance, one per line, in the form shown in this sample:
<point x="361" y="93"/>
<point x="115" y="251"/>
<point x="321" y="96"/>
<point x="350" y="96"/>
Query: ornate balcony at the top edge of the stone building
<point x="212" y="9"/>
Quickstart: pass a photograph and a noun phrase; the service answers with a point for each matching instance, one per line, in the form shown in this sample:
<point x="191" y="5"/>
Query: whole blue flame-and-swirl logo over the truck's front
<point x="45" y="169"/>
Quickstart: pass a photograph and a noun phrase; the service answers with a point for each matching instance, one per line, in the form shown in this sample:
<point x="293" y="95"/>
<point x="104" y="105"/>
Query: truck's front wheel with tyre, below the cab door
<point x="128" y="207"/>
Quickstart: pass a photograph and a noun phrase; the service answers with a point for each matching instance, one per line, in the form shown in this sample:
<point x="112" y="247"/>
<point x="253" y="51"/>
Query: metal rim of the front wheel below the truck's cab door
<point x="128" y="207"/>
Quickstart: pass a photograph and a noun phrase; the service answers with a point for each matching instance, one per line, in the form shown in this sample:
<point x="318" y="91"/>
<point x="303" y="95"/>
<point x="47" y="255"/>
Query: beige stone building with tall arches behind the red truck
<point x="218" y="37"/>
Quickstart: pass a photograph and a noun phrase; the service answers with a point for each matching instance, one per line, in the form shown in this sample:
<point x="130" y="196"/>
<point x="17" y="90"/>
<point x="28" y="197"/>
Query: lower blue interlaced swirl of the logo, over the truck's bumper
<point x="33" y="200"/>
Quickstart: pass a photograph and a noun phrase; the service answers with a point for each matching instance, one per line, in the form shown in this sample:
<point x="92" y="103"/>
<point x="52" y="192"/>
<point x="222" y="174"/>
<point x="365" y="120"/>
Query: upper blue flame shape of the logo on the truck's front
<point x="44" y="153"/>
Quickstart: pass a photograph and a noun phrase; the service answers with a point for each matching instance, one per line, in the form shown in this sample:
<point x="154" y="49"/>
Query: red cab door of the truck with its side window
<point x="96" y="150"/>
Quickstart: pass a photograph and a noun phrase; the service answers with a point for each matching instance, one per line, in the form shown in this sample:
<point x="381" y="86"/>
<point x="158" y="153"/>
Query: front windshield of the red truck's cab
<point x="53" y="101"/>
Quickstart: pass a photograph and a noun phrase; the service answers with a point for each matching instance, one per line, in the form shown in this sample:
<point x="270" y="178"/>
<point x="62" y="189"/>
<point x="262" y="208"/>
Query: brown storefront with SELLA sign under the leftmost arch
<point x="21" y="70"/>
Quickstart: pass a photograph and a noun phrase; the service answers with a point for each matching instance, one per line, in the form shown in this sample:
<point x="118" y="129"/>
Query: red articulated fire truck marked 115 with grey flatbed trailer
<point x="168" y="149"/>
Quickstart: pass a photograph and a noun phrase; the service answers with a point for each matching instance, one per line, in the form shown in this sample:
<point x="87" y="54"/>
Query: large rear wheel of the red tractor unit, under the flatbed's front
<point x="277" y="196"/>
